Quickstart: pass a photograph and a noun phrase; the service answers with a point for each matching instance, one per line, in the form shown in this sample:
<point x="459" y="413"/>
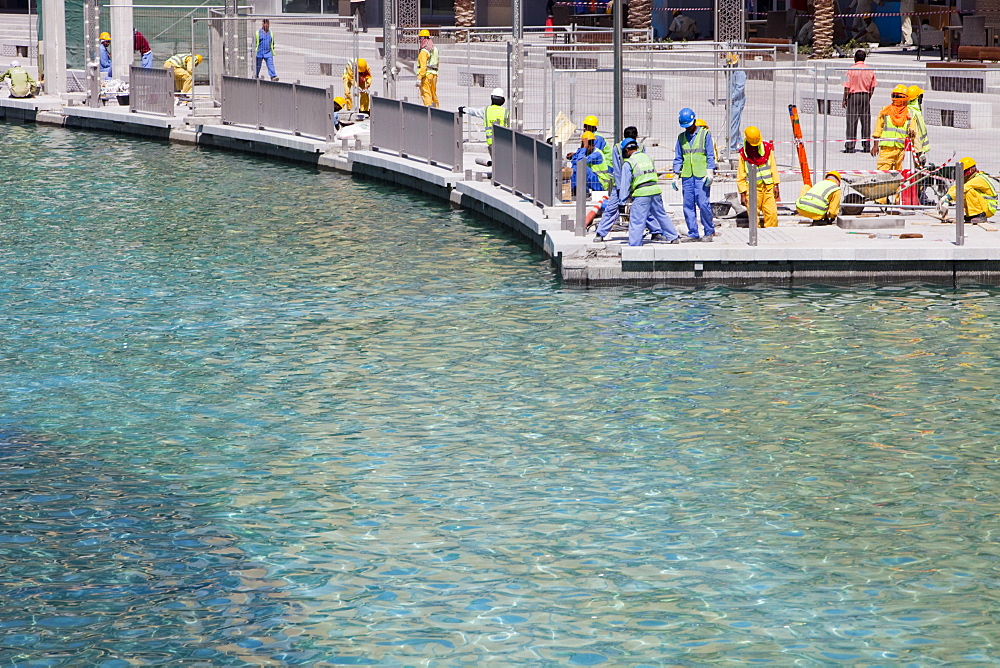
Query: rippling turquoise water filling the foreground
<point x="253" y="414"/>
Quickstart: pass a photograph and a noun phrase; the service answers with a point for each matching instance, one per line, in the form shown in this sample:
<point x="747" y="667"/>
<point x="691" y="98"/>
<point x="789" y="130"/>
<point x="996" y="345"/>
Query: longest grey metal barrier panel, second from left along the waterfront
<point x="277" y="106"/>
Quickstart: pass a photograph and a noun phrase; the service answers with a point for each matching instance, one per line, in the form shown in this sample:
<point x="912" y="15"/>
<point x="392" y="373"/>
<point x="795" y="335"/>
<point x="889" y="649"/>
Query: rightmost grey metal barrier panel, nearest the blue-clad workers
<point x="524" y="164"/>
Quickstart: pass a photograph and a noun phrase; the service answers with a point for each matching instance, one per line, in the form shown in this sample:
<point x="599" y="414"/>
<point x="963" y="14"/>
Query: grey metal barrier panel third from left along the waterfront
<point x="417" y="132"/>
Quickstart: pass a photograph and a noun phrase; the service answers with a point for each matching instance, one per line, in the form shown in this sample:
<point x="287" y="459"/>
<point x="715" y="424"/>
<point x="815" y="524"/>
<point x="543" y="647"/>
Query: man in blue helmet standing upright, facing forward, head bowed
<point x="694" y="165"/>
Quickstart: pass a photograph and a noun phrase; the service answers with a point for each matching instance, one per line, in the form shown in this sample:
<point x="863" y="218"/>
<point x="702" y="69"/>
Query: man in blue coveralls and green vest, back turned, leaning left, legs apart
<point x="639" y="183"/>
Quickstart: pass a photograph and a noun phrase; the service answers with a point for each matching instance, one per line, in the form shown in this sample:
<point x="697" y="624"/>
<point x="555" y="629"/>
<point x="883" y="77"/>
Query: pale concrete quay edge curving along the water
<point x="791" y="254"/>
